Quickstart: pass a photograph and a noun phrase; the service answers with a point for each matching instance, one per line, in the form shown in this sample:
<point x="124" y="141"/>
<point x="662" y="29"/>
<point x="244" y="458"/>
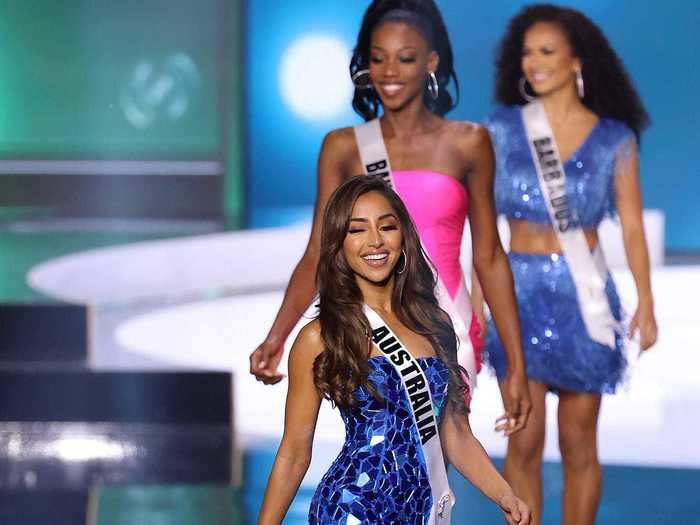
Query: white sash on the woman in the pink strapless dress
<point x="375" y="160"/>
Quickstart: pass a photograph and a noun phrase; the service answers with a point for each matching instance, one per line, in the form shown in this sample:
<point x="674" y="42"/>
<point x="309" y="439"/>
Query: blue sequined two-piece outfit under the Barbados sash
<point x="558" y="351"/>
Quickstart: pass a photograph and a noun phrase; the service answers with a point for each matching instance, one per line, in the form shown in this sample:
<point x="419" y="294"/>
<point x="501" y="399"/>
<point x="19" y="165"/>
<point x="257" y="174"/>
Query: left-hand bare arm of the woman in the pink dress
<point x="265" y="359"/>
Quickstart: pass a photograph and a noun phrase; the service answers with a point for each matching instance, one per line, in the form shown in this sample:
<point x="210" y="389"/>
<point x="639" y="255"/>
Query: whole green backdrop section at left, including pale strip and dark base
<point x="127" y="108"/>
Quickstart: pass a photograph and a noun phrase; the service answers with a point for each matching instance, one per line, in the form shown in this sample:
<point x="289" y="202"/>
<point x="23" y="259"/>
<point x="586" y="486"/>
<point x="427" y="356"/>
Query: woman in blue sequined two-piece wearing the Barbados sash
<point x="566" y="141"/>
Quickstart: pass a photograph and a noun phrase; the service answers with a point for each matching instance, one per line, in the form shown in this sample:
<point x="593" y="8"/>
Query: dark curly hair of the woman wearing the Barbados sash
<point x="609" y="90"/>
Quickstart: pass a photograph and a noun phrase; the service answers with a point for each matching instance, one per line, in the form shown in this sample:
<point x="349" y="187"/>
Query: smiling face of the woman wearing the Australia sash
<point x="373" y="242"/>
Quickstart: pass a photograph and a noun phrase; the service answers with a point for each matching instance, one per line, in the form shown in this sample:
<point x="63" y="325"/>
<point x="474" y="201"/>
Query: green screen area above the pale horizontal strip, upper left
<point x="67" y="67"/>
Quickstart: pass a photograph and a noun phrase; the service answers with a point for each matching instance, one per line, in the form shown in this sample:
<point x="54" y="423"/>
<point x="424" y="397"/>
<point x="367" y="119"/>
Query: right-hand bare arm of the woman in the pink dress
<point x="493" y="270"/>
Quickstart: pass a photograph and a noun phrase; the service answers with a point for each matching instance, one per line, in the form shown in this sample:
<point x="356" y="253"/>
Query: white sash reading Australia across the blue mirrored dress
<point x="418" y="393"/>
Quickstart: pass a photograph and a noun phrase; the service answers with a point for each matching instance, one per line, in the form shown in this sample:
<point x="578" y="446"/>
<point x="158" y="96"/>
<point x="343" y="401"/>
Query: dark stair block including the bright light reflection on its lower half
<point x="70" y="427"/>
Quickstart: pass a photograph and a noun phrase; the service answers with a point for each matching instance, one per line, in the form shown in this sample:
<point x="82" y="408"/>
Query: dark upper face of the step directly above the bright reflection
<point x="80" y="394"/>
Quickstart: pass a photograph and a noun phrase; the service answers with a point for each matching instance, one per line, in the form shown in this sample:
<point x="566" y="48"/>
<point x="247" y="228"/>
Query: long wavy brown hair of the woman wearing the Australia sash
<point x="343" y="367"/>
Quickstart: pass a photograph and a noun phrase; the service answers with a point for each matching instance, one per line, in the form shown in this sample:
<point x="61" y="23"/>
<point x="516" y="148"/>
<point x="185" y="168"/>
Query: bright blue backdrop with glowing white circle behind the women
<point x="298" y="88"/>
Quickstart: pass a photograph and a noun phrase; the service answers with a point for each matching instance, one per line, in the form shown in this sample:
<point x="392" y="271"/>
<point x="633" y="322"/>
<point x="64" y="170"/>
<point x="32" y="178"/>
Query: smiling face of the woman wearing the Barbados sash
<point x="548" y="61"/>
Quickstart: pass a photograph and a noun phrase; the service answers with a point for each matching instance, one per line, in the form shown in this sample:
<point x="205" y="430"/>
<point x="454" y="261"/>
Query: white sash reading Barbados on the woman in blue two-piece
<point x="589" y="271"/>
